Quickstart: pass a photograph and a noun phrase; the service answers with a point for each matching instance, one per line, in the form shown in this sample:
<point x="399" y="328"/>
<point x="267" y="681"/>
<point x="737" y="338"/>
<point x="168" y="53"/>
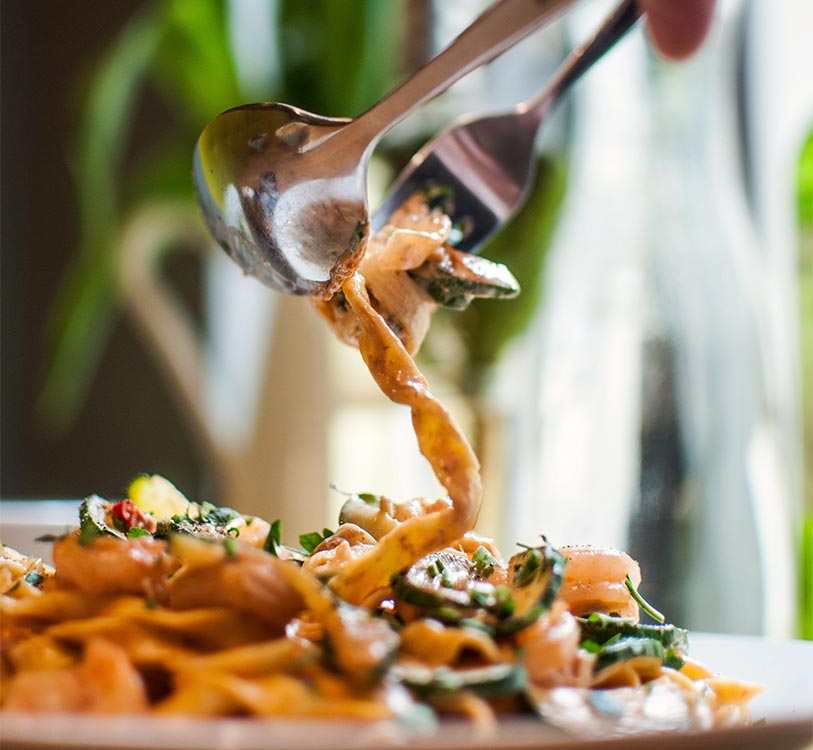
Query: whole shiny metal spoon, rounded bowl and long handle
<point x="284" y="190"/>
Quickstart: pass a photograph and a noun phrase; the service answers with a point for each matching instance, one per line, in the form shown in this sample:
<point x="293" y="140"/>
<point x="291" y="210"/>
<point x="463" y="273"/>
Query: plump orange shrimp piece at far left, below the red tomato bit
<point x="107" y="565"/>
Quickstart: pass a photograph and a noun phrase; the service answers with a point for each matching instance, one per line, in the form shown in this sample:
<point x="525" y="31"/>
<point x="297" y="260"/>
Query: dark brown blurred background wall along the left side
<point x="128" y="425"/>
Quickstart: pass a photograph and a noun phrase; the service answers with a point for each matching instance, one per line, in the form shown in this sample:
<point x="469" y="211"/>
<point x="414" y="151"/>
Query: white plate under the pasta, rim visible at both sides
<point x="783" y="713"/>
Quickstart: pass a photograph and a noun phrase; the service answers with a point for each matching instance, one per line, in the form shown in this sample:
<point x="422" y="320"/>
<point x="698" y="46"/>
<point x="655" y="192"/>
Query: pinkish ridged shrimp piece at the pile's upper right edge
<point x="594" y="581"/>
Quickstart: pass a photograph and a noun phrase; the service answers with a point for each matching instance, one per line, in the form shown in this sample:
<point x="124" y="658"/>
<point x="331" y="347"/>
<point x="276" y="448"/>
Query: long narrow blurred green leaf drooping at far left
<point x="83" y="310"/>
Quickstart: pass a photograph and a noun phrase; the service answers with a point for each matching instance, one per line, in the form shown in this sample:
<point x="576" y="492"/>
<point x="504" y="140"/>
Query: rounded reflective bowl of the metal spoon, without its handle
<point x="290" y="214"/>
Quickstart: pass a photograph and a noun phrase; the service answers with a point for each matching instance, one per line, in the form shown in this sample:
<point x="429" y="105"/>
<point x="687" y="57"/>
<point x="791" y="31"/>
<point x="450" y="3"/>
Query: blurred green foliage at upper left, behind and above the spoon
<point x="337" y="57"/>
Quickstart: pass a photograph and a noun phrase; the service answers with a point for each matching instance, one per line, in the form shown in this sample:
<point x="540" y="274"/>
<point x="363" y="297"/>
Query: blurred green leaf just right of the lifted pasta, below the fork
<point x="488" y="325"/>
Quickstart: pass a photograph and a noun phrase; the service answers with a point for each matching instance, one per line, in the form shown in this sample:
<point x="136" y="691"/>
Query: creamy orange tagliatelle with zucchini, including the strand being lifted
<point x="162" y="605"/>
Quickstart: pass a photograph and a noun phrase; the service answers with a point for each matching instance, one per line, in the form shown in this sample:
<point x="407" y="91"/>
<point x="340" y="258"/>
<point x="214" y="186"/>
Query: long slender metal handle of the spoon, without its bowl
<point x="496" y="30"/>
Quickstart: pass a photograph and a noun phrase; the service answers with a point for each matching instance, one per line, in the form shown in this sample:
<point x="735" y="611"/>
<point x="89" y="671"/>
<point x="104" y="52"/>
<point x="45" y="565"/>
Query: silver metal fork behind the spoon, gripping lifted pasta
<point x="482" y="167"/>
